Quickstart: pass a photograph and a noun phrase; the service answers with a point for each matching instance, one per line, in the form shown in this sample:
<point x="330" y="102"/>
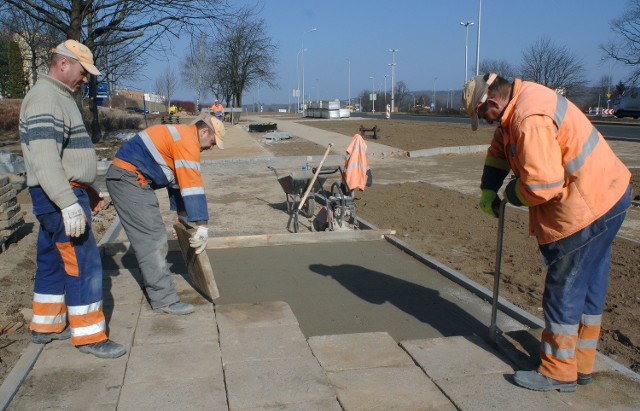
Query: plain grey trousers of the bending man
<point x="139" y="213"/>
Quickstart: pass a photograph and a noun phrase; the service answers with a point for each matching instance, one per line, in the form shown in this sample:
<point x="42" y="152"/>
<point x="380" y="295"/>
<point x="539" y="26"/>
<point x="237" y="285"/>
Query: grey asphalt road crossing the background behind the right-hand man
<point x="626" y="132"/>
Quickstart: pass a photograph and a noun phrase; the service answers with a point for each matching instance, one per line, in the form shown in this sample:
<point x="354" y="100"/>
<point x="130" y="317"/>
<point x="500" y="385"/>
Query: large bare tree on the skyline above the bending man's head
<point x="245" y="57"/>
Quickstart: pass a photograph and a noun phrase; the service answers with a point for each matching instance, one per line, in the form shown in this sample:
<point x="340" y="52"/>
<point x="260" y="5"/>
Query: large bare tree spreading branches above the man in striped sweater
<point x="134" y="26"/>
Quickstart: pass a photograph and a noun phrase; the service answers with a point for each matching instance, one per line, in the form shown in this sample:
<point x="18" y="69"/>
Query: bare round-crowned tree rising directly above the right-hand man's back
<point x="553" y="66"/>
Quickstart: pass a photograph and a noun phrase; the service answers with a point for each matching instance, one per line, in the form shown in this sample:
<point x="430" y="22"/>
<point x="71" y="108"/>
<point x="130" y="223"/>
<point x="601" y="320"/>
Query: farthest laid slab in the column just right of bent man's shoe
<point x="254" y="315"/>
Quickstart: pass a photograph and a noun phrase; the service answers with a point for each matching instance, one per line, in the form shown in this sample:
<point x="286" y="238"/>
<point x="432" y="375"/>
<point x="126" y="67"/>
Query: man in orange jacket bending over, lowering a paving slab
<point x="162" y="156"/>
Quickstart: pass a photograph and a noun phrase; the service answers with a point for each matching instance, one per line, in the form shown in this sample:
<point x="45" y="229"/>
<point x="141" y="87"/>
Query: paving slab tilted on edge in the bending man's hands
<point x="198" y="265"/>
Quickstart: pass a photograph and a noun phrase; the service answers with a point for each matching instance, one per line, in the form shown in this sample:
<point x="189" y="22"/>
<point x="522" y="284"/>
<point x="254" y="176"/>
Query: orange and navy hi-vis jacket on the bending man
<point x="168" y="155"/>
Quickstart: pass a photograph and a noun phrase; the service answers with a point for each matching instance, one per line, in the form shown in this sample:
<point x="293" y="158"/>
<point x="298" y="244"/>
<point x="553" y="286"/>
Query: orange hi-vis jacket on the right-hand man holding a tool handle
<point x="568" y="175"/>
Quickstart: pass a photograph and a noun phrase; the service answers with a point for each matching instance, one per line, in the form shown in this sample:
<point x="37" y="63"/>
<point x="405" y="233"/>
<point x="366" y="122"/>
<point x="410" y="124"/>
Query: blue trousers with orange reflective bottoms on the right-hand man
<point x="574" y="296"/>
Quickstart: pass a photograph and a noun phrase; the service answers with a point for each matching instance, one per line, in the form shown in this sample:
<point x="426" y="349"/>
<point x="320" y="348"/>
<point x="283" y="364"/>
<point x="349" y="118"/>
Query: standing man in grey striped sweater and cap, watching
<point x="61" y="167"/>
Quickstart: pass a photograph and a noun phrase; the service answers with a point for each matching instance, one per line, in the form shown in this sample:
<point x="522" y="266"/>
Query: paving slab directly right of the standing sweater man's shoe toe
<point x="173" y="361"/>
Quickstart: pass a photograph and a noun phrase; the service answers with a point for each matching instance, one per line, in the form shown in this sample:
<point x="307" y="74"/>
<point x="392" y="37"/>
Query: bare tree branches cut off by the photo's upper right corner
<point x="626" y="47"/>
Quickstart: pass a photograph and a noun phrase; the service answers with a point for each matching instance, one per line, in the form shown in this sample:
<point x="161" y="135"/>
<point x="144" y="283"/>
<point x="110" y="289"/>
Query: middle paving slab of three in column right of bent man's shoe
<point x="263" y="343"/>
